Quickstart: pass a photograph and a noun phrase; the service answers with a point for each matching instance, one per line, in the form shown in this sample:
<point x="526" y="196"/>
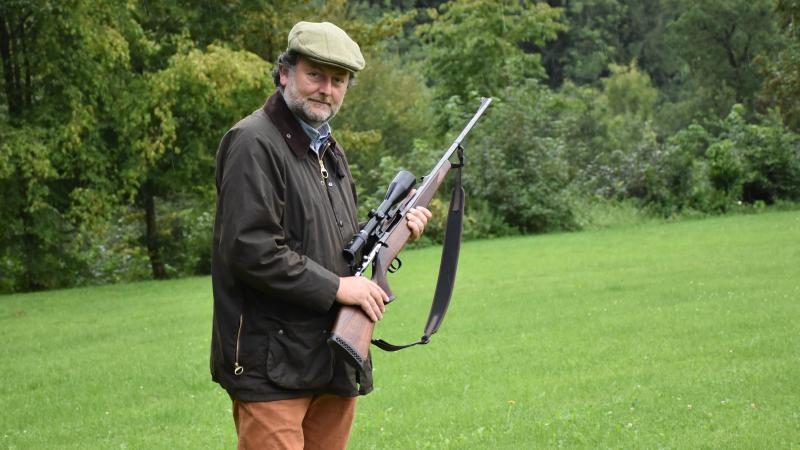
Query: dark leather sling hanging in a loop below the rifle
<point x="447" y="266"/>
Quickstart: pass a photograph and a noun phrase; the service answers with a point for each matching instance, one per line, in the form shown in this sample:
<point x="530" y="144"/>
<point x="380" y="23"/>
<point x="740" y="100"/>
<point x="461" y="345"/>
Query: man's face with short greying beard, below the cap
<point x="313" y="91"/>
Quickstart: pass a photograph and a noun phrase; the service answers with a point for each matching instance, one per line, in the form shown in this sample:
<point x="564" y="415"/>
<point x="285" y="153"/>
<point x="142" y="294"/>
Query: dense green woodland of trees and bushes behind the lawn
<point x="111" y="113"/>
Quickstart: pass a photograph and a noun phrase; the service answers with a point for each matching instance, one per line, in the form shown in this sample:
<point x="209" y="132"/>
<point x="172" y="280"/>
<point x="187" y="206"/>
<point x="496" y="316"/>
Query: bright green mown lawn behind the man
<point x="680" y="335"/>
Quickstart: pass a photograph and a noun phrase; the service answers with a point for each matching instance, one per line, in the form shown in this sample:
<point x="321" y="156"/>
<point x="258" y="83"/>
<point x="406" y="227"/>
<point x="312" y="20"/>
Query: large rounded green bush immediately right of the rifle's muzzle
<point x="519" y="166"/>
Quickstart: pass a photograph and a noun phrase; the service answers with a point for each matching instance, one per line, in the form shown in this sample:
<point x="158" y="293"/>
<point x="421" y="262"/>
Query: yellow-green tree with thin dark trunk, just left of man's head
<point x="177" y="119"/>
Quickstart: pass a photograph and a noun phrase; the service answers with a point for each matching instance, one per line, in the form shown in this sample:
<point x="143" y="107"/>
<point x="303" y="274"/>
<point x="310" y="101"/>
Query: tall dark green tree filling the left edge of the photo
<point x="57" y="152"/>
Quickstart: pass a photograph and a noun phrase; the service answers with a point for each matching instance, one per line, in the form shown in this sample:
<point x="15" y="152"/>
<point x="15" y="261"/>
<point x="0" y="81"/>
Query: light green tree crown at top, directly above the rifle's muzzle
<point x="477" y="48"/>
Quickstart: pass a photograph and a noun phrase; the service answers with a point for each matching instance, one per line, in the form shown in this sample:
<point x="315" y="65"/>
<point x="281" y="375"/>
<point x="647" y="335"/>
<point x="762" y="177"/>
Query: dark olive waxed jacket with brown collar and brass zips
<point x="283" y="217"/>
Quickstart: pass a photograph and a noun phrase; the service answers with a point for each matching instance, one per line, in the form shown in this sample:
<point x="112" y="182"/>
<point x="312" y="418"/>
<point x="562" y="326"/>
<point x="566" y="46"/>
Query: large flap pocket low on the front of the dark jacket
<point x="298" y="355"/>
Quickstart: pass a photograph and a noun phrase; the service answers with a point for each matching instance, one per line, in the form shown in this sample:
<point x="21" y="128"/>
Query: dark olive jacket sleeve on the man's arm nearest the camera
<point x="252" y="241"/>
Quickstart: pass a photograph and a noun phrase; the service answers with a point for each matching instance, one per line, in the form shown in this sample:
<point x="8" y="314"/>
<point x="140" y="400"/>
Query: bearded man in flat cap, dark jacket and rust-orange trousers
<point x="286" y="207"/>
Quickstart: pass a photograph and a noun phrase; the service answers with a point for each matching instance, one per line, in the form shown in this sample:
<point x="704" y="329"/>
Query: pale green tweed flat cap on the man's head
<point x="327" y="44"/>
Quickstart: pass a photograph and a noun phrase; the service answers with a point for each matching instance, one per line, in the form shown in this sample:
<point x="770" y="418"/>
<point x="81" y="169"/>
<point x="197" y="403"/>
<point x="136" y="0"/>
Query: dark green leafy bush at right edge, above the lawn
<point x="744" y="163"/>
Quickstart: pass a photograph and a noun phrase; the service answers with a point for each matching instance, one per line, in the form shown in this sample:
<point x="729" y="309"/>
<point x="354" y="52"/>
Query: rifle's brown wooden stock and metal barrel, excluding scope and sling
<point x="353" y="330"/>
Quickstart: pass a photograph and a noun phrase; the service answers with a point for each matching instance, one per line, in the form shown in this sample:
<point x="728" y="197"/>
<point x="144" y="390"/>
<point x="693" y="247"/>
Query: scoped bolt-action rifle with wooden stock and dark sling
<point x="380" y="240"/>
